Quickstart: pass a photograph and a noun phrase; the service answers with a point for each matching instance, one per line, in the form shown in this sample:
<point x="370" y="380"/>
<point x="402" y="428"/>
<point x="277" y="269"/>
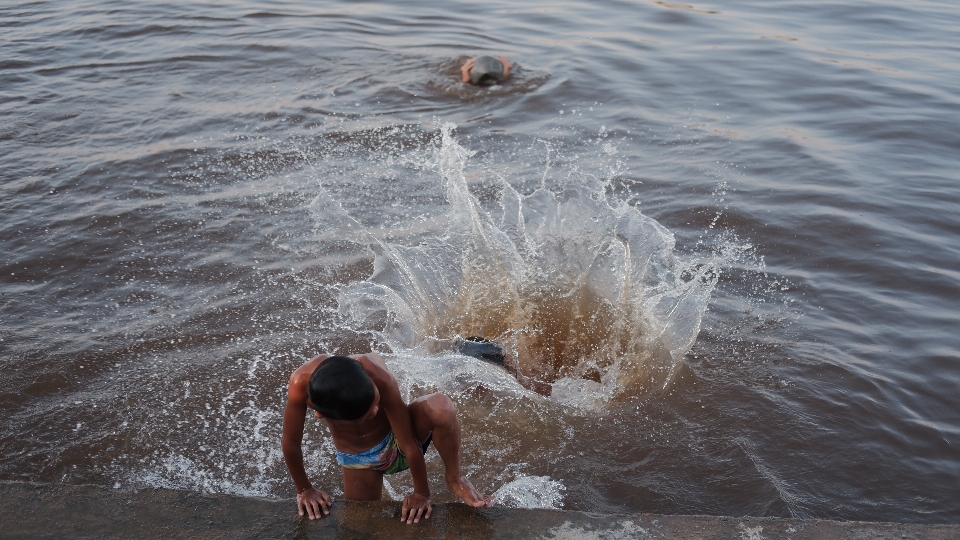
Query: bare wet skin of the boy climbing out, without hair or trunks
<point x="433" y="414"/>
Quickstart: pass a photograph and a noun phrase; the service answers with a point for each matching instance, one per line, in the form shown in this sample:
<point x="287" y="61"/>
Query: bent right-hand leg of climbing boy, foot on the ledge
<point x="436" y="414"/>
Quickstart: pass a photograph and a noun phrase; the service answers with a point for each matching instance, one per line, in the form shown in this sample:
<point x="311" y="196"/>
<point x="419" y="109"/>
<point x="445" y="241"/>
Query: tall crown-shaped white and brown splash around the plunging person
<point x="583" y="293"/>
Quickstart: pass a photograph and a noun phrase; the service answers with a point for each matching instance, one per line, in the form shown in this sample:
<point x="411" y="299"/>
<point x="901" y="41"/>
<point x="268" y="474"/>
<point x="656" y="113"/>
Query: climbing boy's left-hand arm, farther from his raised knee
<point x="309" y="500"/>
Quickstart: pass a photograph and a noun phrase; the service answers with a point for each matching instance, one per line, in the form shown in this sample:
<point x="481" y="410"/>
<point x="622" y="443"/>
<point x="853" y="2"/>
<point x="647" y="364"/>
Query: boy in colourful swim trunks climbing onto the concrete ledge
<point x="374" y="432"/>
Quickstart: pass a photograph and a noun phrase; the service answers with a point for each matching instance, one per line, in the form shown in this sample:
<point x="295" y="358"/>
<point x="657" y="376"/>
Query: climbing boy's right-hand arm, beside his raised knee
<point x="416" y="505"/>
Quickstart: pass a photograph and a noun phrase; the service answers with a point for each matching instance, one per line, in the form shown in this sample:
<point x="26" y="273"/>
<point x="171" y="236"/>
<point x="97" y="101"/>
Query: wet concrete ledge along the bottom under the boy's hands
<point x="29" y="510"/>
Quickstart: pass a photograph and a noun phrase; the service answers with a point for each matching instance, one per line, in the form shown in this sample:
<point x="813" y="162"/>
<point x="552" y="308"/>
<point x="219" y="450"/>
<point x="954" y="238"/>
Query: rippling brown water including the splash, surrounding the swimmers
<point x="195" y="197"/>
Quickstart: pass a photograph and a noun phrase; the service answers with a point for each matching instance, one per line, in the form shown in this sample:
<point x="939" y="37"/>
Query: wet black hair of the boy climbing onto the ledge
<point x="340" y="389"/>
